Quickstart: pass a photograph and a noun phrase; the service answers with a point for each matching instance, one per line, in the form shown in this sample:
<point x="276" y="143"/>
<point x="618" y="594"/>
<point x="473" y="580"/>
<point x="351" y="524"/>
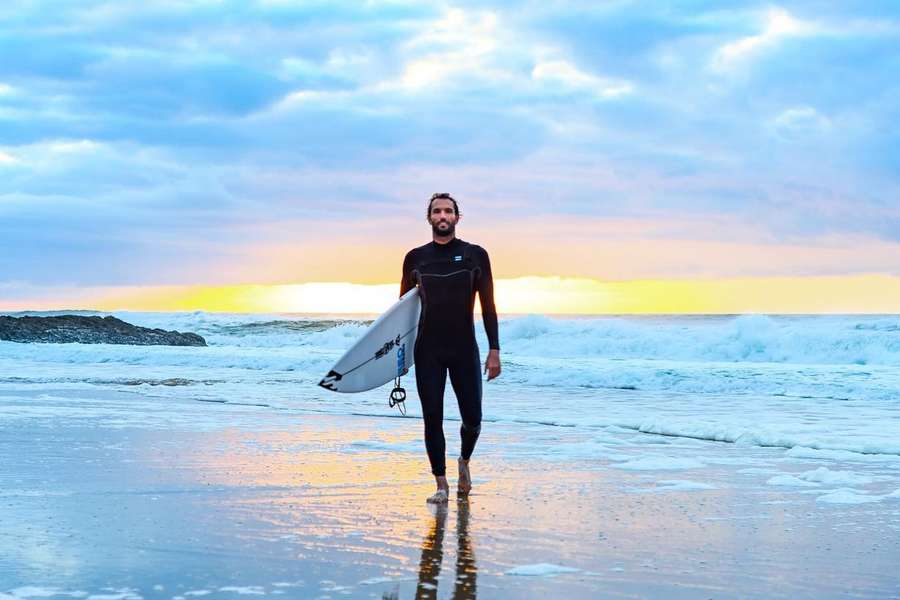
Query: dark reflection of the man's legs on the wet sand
<point x="433" y="554"/>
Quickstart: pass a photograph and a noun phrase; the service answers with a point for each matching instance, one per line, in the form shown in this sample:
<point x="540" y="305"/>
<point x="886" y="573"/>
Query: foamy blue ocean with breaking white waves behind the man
<point x="827" y="385"/>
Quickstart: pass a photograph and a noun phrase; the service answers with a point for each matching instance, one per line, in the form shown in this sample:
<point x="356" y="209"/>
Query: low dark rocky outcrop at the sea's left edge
<point x="90" y="330"/>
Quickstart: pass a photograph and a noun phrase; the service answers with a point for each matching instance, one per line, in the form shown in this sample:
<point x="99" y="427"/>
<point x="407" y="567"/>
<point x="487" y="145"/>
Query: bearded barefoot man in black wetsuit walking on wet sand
<point x="448" y="272"/>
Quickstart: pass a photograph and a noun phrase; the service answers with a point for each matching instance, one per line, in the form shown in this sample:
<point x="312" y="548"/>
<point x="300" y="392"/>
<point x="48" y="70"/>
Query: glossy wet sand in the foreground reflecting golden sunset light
<point x="107" y="495"/>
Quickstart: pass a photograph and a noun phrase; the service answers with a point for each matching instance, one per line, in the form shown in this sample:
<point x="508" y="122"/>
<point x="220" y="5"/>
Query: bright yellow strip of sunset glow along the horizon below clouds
<point x="545" y="295"/>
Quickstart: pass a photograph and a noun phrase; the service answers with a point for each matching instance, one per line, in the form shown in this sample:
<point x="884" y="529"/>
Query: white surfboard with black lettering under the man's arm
<point x="384" y="352"/>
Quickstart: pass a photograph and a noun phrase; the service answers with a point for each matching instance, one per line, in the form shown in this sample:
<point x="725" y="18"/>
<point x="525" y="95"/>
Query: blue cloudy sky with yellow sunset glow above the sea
<point x="179" y="149"/>
